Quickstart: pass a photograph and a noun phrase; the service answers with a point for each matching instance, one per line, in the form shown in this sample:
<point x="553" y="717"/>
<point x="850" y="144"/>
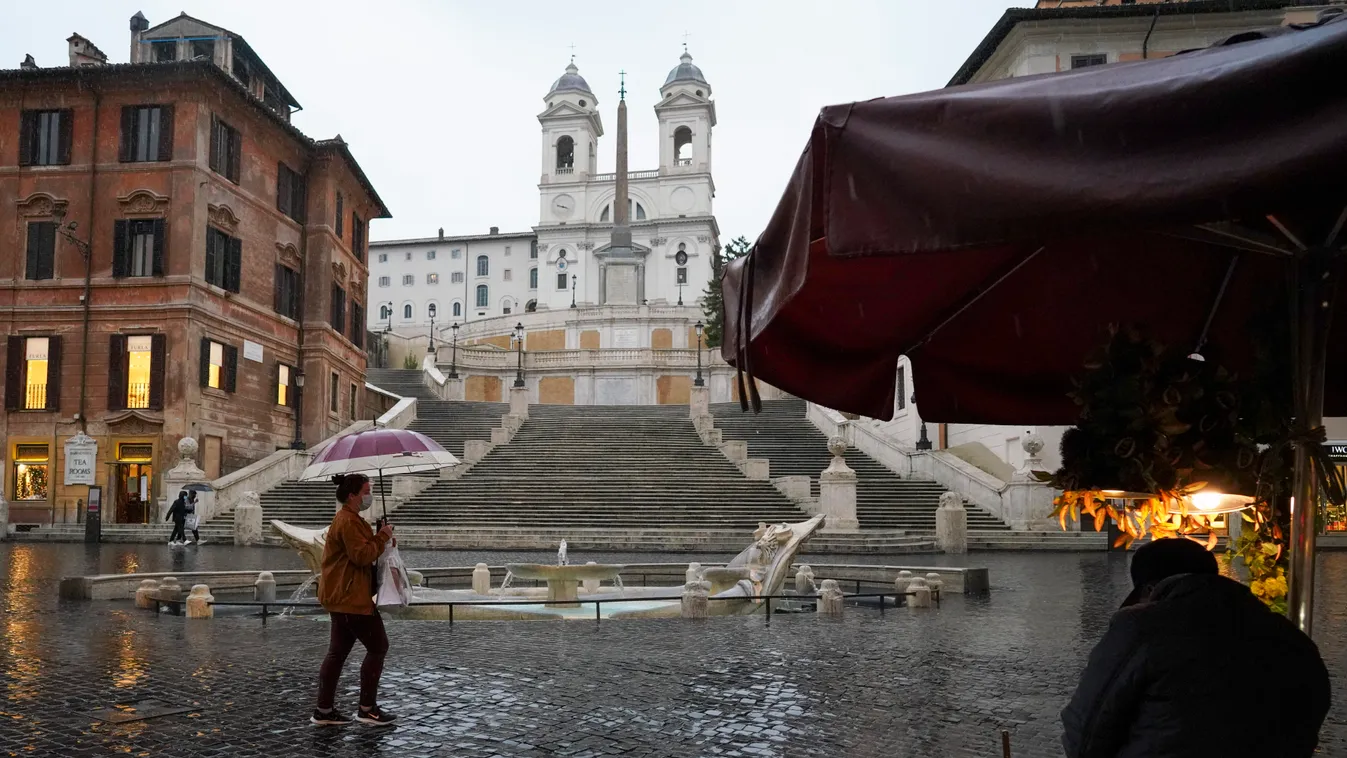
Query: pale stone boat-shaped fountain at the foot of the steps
<point x="731" y="590"/>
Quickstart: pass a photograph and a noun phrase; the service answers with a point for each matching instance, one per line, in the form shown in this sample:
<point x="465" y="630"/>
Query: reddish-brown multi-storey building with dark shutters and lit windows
<point x="176" y="259"/>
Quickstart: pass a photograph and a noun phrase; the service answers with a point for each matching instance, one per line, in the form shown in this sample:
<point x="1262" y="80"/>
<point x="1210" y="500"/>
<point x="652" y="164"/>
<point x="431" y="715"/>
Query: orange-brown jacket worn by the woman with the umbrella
<point x="350" y="557"/>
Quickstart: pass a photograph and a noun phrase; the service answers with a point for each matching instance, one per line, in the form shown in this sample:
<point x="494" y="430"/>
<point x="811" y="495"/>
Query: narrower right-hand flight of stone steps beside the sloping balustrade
<point x="797" y="448"/>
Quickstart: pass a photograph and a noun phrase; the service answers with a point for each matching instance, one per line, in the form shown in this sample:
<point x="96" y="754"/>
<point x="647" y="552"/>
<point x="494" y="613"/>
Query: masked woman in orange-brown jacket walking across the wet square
<point x="346" y="590"/>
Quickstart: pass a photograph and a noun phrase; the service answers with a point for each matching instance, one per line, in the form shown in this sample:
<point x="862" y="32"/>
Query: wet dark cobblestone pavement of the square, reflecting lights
<point x="902" y="685"/>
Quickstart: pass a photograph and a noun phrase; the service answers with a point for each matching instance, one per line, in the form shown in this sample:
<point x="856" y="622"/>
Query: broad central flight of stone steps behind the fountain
<point x="603" y="468"/>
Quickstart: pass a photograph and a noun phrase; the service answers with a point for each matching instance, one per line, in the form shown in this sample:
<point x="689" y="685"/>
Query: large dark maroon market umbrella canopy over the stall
<point x="992" y="232"/>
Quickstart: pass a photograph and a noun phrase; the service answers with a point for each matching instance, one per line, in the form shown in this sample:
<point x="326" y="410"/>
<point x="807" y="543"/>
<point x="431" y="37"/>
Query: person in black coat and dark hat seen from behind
<point x="1194" y="664"/>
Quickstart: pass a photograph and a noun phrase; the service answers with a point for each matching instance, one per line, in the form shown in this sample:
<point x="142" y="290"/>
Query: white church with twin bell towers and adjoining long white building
<point x="579" y="252"/>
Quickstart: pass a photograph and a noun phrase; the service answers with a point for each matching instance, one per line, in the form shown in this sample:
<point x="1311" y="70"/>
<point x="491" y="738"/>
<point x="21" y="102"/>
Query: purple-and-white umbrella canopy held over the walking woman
<point x="379" y="452"/>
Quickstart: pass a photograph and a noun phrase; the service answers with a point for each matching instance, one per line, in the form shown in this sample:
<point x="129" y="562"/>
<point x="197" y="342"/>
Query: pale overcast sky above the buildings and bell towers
<point x="440" y="100"/>
